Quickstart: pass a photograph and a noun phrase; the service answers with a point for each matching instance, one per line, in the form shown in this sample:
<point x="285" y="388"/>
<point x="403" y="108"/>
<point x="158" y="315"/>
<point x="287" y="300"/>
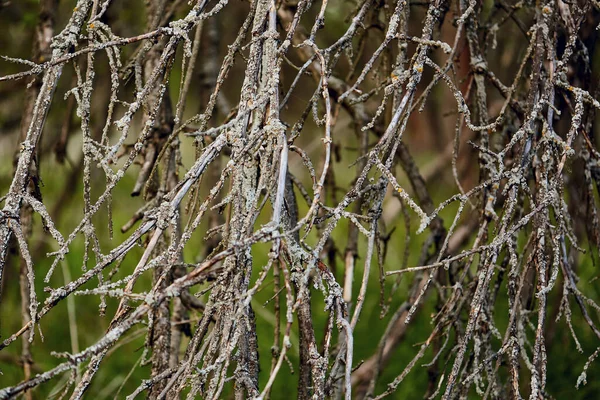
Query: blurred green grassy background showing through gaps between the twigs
<point x="62" y="190"/>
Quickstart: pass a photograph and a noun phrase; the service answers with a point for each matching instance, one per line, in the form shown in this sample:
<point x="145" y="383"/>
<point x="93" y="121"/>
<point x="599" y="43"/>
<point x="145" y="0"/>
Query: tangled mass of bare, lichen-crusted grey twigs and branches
<point x="515" y="234"/>
